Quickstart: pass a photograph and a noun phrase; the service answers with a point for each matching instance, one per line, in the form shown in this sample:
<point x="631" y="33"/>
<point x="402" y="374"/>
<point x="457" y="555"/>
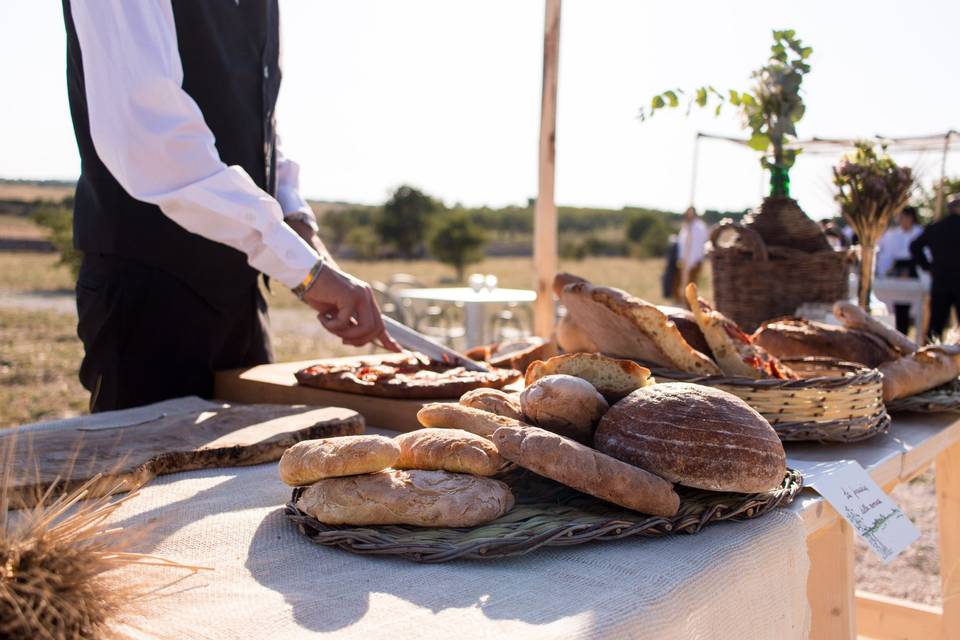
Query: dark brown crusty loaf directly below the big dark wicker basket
<point x="794" y="338"/>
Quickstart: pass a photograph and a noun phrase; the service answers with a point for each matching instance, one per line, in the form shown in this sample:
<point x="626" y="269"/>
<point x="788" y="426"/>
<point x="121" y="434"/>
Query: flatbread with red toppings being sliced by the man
<point x="401" y="376"/>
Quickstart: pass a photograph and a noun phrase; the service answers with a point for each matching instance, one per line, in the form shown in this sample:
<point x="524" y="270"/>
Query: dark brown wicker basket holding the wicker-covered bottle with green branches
<point x="762" y="275"/>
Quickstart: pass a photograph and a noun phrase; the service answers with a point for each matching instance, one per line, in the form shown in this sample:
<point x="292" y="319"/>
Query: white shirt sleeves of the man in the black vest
<point x="152" y="137"/>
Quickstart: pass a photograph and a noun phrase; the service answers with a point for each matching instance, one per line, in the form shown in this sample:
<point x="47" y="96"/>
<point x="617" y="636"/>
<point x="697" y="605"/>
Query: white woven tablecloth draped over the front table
<point x="734" y="580"/>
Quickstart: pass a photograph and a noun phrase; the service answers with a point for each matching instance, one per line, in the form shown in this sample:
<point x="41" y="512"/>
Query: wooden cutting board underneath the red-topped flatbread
<point x="276" y="383"/>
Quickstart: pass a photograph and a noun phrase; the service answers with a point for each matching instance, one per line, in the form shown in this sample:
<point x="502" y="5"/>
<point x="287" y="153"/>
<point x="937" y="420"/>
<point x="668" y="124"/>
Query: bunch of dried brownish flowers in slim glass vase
<point x="871" y="188"/>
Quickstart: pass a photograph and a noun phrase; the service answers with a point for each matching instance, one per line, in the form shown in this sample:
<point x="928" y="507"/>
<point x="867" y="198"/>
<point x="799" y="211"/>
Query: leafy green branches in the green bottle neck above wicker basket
<point x="770" y="109"/>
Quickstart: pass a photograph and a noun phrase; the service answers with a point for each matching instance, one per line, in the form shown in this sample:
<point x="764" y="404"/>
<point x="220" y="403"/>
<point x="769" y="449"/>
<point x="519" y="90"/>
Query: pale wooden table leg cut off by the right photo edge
<point x="948" y="512"/>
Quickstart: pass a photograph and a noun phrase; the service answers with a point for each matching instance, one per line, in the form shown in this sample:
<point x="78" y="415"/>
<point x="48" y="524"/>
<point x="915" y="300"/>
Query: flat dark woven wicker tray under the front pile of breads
<point x="546" y="514"/>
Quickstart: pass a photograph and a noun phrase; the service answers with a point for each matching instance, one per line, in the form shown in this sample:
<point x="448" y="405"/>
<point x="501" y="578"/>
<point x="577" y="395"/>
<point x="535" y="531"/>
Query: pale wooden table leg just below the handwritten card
<point x="830" y="585"/>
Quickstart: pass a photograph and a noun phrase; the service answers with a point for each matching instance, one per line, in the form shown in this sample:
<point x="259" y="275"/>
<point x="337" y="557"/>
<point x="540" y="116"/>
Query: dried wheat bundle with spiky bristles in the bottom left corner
<point x="53" y="557"/>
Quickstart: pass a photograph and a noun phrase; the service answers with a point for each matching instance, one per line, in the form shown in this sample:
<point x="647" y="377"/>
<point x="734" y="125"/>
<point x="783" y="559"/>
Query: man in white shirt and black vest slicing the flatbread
<point x="185" y="198"/>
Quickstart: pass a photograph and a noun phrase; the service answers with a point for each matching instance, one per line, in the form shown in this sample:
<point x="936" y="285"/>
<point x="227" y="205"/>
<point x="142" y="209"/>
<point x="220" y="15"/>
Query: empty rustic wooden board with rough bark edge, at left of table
<point x="228" y="436"/>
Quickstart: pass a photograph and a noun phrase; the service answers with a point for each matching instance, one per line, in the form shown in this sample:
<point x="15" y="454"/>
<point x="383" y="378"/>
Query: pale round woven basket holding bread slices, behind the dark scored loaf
<point x="833" y="402"/>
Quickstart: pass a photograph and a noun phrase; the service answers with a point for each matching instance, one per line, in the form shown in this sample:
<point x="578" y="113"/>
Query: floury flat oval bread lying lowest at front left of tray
<point x="416" y="497"/>
